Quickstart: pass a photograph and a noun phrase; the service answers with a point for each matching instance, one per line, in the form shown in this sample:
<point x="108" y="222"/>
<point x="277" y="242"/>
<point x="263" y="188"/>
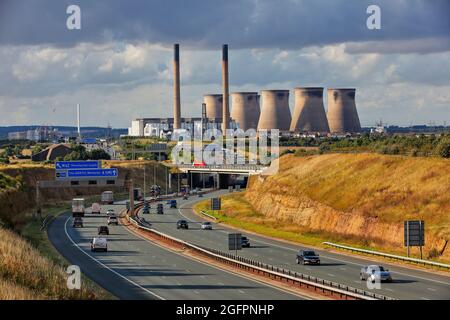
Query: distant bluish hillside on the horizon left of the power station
<point x="90" y="132"/>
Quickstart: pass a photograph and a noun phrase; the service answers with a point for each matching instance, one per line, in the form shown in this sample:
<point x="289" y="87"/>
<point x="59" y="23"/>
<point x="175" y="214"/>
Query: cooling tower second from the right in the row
<point x="309" y="113"/>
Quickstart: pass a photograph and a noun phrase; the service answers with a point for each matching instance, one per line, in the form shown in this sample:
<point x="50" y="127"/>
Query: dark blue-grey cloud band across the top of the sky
<point x="204" y="24"/>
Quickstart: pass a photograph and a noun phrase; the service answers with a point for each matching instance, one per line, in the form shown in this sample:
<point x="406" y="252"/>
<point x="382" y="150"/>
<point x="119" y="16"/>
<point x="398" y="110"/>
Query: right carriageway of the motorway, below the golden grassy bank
<point x="408" y="283"/>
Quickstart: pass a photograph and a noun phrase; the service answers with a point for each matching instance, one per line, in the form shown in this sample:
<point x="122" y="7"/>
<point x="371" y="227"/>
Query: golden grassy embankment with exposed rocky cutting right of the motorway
<point x="361" y="200"/>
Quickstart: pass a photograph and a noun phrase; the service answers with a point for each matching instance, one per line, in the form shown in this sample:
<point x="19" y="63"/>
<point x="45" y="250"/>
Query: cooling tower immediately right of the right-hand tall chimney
<point x="245" y="109"/>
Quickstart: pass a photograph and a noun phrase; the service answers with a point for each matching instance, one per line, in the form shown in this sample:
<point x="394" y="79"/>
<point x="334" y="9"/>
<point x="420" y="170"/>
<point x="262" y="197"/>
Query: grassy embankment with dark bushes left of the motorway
<point x="30" y="267"/>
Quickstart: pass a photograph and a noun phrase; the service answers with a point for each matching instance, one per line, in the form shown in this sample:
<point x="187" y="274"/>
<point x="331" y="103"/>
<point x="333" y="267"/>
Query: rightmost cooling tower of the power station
<point x="342" y="115"/>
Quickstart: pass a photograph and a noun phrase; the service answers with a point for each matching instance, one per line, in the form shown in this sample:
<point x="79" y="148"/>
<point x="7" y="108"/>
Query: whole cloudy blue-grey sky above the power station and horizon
<point x="118" y="66"/>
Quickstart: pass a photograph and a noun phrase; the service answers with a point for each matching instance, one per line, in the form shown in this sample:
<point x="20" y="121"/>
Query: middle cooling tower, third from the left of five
<point x="275" y="112"/>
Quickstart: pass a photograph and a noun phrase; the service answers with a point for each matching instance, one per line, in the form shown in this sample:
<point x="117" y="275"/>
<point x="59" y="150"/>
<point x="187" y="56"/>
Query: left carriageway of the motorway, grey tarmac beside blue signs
<point x="135" y="268"/>
